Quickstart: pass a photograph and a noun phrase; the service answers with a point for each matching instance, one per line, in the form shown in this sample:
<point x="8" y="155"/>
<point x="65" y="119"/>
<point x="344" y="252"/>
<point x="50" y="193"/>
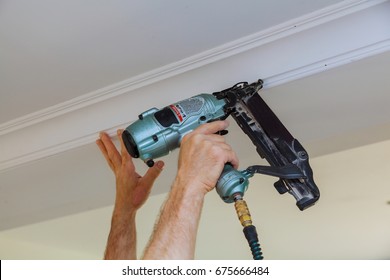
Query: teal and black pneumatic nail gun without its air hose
<point x="157" y="132"/>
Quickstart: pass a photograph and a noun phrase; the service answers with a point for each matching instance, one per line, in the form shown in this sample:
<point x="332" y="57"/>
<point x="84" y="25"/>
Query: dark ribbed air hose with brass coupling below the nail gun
<point x="249" y="230"/>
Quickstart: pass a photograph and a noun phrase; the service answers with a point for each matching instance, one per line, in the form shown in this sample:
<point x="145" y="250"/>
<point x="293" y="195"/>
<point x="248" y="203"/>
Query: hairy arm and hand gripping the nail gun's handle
<point x="201" y="161"/>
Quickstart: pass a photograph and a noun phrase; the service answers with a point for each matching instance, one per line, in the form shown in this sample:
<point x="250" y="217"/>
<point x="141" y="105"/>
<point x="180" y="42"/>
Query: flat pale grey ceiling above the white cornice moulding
<point x="53" y="51"/>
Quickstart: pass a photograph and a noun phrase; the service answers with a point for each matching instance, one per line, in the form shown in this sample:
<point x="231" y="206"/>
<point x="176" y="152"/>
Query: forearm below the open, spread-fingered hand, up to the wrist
<point x="121" y="243"/>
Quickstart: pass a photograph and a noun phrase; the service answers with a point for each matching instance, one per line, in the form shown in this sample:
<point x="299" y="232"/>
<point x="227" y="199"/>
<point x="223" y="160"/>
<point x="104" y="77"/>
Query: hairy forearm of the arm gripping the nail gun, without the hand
<point x="174" y="236"/>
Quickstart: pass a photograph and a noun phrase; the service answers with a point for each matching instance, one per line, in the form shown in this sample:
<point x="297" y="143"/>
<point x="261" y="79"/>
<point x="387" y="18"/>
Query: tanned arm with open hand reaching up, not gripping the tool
<point x="132" y="190"/>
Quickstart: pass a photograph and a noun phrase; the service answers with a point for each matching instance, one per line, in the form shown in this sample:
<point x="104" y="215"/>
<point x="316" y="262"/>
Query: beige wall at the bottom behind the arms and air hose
<point x="351" y="220"/>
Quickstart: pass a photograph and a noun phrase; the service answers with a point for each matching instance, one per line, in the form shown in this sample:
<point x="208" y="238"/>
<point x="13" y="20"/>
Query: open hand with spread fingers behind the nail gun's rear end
<point x="132" y="190"/>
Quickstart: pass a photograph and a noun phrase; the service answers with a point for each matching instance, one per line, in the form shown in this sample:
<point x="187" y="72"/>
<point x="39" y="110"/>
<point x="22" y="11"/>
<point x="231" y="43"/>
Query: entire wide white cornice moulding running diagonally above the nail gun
<point x="75" y="123"/>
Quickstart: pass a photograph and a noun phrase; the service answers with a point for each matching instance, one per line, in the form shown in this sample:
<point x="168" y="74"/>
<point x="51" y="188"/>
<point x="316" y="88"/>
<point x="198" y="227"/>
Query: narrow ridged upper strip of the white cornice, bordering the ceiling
<point x="232" y="48"/>
